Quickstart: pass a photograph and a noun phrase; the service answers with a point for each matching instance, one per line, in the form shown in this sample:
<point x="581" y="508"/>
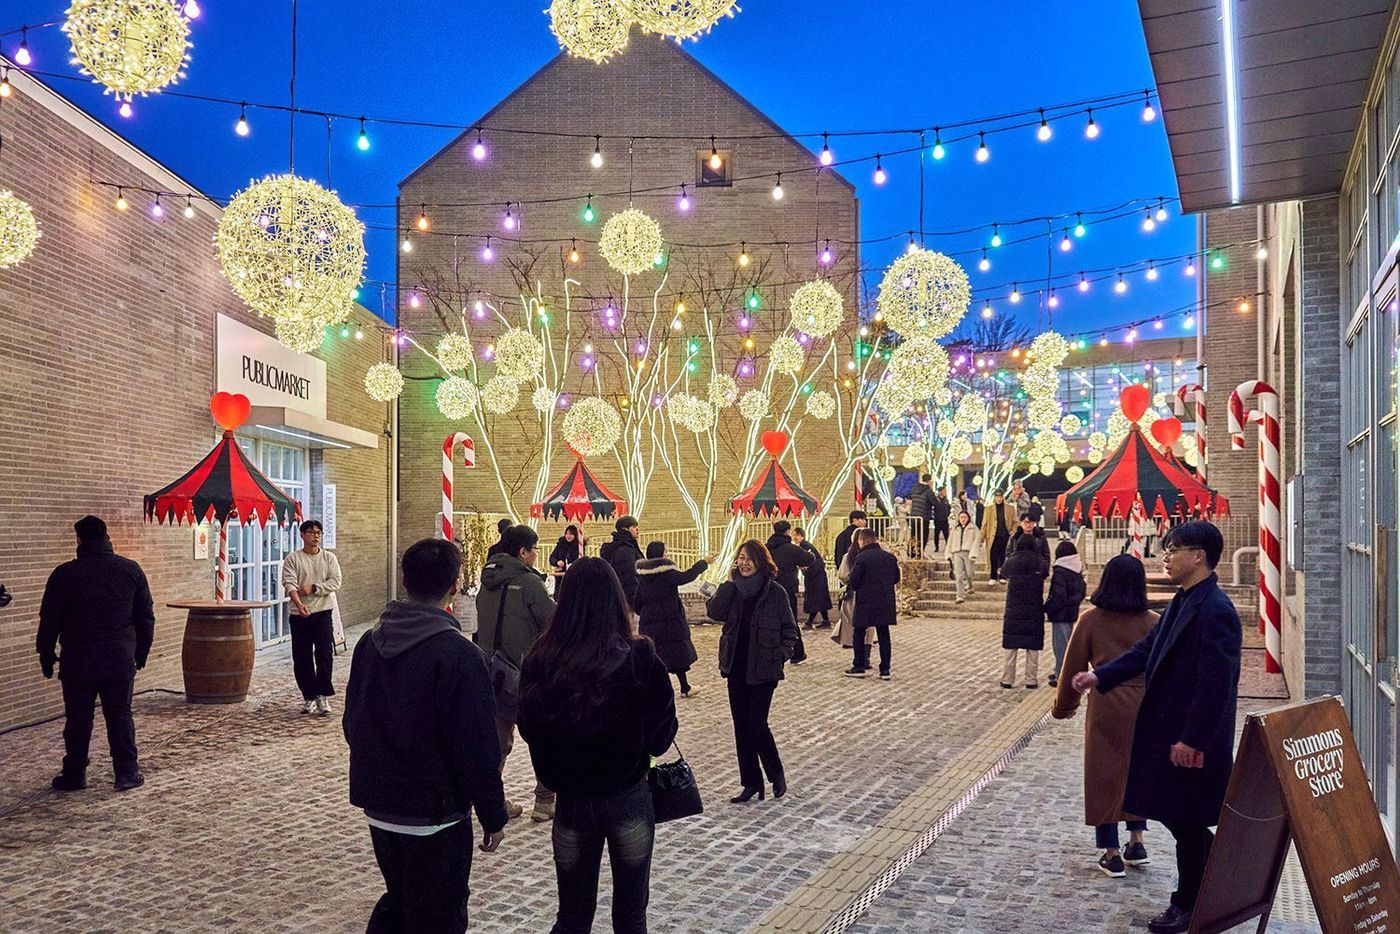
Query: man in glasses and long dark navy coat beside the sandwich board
<point x="1185" y="737"/>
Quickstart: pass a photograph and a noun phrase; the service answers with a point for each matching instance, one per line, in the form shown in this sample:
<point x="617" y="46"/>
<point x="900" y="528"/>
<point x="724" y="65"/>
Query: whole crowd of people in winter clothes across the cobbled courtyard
<point x="436" y="699"/>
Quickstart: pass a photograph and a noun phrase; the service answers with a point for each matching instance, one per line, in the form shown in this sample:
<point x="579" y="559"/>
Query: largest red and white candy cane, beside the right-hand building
<point x="1270" y="516"/>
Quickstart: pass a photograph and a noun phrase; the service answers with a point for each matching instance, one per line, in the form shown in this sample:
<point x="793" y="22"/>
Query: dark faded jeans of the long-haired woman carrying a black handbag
<point x="628" y="824"/>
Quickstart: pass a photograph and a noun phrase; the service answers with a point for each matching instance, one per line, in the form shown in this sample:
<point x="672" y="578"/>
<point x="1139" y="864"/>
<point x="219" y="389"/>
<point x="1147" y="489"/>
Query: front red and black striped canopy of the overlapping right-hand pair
<point x="1139" y="470"/>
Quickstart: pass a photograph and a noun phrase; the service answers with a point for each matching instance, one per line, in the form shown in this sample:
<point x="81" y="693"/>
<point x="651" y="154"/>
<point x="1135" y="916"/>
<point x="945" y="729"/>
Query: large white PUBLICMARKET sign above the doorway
<point x="269" y="375"/>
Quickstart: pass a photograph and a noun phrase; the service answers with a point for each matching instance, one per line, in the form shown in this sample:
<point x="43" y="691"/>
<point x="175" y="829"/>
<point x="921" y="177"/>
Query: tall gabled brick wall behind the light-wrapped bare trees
<point x="654" y="89"/>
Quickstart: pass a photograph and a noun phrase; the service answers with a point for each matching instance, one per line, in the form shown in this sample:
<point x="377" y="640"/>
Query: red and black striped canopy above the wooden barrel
<point x="225" y="485"/>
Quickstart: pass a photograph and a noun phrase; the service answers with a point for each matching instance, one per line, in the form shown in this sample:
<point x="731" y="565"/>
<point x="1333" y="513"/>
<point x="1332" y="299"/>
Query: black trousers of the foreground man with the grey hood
<point x="425" y="881"/>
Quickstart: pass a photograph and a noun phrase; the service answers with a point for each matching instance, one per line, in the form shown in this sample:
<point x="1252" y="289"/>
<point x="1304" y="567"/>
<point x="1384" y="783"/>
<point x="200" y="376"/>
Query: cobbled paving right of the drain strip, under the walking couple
<point x="1021" y="859"/>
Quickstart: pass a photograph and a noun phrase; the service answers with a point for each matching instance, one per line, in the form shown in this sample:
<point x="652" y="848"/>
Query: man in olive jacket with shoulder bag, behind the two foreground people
<point x="512" y="611"/>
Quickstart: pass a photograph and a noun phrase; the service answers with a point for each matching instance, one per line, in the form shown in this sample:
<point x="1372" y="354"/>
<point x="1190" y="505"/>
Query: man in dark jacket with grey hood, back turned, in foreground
<point x="421" y="722"/>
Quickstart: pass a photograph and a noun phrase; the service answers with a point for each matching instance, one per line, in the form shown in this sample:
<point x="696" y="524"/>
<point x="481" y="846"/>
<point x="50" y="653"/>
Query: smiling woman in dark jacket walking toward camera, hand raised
<point x="758" y="639"/>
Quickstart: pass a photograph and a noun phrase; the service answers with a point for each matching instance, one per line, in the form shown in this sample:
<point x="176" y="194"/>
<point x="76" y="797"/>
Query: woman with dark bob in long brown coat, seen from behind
<point x="1118" y="621"/>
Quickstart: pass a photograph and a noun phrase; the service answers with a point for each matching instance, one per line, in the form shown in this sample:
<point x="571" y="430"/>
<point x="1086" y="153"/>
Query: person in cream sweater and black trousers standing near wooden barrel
<point x="311" y="578"/>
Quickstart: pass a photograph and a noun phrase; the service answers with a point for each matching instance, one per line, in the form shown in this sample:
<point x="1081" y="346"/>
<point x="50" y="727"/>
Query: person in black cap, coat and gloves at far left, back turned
<point x="99" y="610"/>
